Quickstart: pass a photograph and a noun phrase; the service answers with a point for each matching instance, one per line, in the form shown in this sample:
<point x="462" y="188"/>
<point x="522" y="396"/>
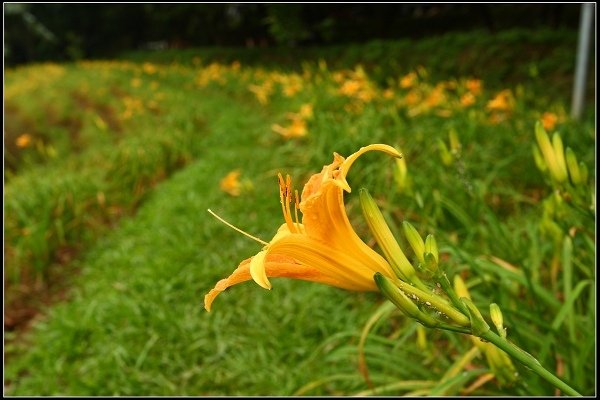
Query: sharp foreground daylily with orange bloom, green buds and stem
<point x="324" y="248"/>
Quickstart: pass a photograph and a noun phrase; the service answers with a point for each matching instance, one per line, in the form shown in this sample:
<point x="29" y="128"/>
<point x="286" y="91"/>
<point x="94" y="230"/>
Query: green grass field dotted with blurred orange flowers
<point x="110" y="167"/>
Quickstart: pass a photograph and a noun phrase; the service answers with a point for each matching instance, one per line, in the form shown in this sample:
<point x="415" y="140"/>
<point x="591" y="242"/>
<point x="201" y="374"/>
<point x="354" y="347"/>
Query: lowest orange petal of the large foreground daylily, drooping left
<point x="276" y="266"/>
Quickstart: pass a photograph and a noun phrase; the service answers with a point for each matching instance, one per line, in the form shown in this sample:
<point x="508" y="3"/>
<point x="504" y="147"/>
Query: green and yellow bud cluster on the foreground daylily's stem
<point x="423" y="292"/>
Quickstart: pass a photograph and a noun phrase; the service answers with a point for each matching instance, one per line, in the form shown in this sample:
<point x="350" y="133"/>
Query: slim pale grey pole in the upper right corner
<point x="585" y="24"/>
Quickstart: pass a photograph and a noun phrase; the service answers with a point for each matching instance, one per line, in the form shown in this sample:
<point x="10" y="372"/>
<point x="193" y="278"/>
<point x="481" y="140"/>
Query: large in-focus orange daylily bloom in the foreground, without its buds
<point x="323" y="248"/>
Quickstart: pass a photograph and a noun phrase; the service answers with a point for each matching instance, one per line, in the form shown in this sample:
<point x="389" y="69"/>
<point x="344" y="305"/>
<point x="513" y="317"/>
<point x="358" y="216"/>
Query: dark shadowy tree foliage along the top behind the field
<point x="62" y="31"/>
